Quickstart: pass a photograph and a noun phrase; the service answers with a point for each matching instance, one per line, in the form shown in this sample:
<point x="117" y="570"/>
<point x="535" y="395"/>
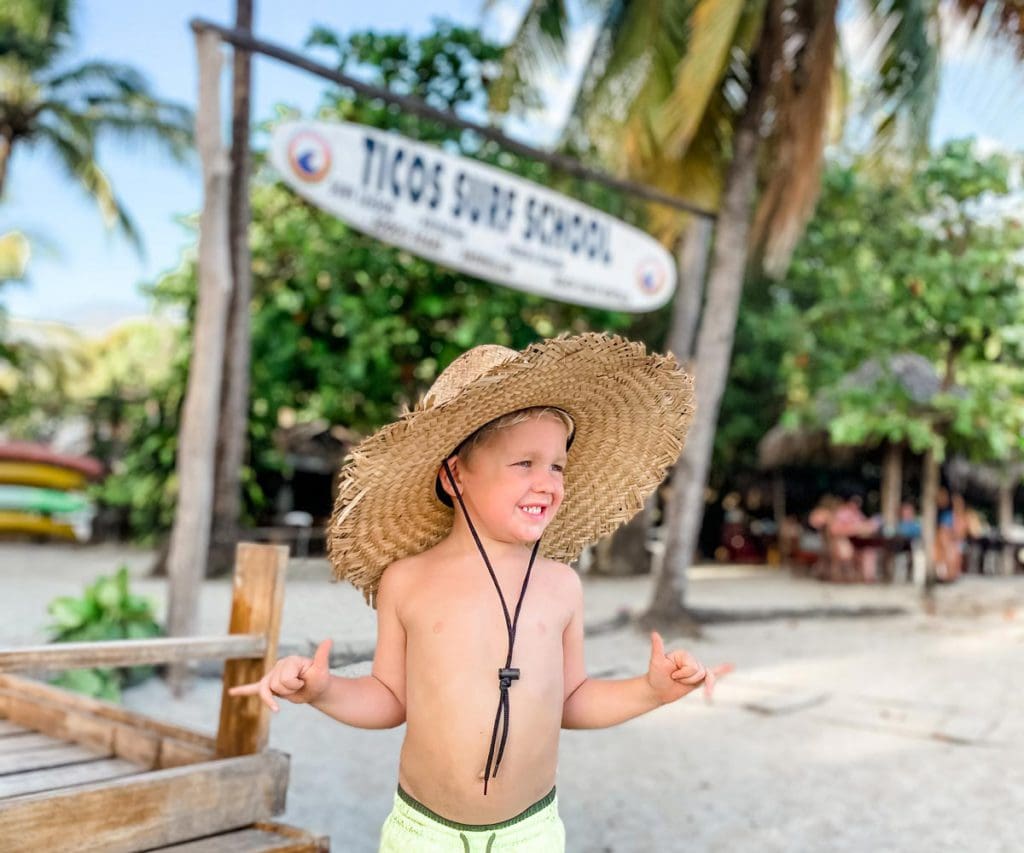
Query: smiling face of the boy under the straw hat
<point x="513" y="484"/>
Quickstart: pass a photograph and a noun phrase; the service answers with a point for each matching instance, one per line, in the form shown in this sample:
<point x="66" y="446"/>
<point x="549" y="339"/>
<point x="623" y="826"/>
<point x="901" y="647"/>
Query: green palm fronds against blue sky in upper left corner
<point x="67" y="109"/>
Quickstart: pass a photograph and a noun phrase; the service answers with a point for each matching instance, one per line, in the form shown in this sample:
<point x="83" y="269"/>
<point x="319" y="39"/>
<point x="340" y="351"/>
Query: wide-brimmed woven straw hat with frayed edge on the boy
<point x="631" y="412"/>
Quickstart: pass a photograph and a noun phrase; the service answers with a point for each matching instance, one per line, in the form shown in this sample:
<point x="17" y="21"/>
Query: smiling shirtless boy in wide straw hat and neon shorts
<point x="440" y="520"/>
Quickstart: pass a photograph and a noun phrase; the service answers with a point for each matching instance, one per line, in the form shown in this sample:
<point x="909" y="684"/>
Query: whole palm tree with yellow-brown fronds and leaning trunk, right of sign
<point x="728" y="103"/>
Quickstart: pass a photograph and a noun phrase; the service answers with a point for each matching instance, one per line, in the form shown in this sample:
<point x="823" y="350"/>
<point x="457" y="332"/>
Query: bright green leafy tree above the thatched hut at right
<point x="929" y="263"/>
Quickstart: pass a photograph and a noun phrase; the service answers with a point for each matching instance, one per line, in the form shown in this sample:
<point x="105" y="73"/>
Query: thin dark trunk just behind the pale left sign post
<point x="235" y="382"/>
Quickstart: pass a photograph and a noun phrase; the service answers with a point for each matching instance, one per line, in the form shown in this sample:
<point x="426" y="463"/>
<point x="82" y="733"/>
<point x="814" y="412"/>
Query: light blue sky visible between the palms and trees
<point x="88" y="277"/>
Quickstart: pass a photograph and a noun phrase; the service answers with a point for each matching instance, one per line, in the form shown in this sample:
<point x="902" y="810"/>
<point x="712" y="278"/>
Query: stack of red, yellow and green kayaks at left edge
<point x="40" y="492"/>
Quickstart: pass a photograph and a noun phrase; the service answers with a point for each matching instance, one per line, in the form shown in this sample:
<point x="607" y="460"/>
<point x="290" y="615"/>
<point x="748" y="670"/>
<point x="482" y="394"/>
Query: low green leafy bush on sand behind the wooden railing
<point x="108" y="611"/>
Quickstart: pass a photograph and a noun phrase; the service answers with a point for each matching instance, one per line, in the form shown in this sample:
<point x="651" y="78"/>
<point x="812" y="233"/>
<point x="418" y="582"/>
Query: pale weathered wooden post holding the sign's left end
<point x="191" y="534"/>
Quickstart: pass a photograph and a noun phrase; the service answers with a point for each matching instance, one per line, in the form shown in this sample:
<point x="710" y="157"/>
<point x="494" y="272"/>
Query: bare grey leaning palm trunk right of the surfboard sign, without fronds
<point x="686" y="507"/>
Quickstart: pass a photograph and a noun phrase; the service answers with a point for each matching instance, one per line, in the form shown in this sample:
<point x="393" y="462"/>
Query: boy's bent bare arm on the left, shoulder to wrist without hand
<point x="377" y="701"/>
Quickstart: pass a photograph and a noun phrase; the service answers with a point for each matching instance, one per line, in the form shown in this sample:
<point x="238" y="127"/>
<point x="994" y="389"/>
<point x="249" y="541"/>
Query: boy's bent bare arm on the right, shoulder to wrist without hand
<point x="591" y="703"/>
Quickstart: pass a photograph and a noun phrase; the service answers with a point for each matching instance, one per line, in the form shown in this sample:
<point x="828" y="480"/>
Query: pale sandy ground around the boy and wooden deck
<point x="901" y="733"/>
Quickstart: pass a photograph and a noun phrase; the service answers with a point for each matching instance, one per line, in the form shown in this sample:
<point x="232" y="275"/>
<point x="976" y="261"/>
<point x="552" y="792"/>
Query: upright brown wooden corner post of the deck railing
<point x="258" y="600"/>
